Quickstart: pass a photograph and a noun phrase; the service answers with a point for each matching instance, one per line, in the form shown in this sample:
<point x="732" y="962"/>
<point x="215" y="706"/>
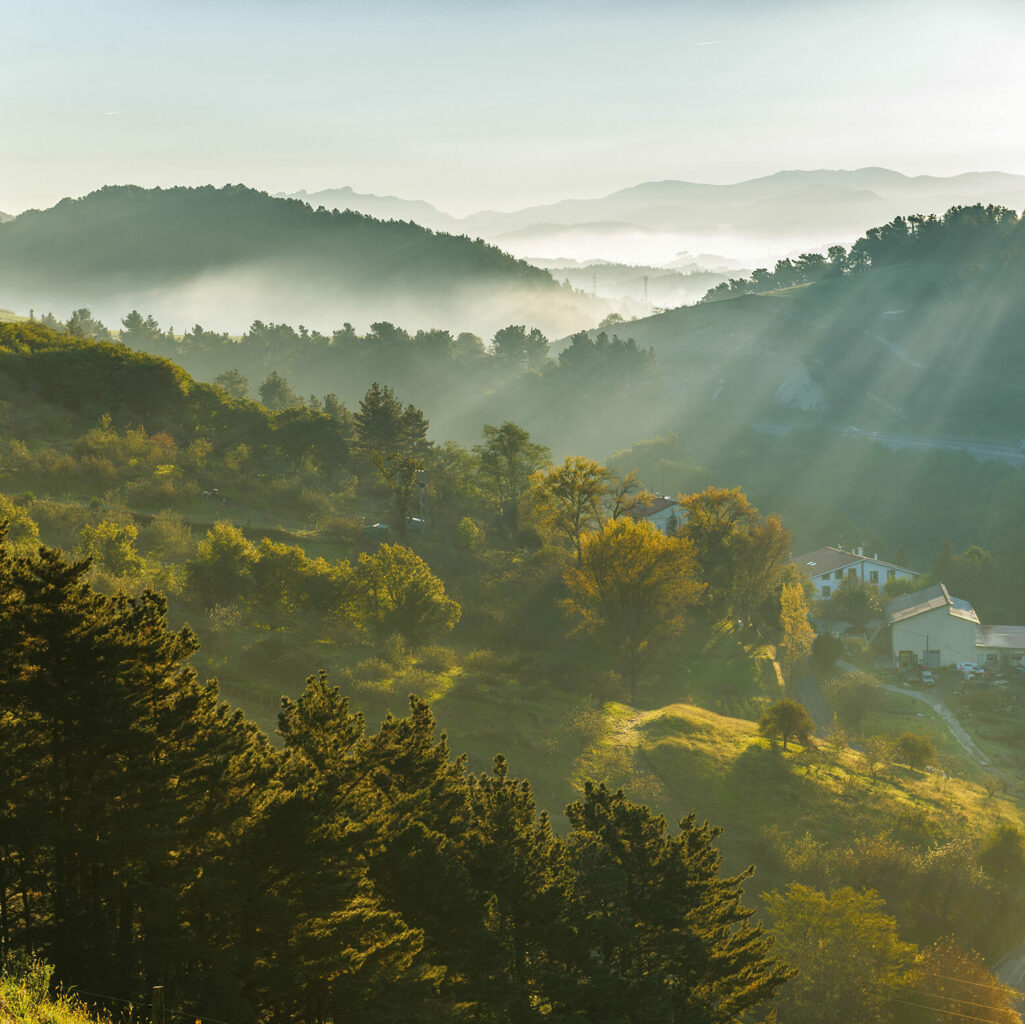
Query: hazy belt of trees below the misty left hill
<point x="595" y="383"/>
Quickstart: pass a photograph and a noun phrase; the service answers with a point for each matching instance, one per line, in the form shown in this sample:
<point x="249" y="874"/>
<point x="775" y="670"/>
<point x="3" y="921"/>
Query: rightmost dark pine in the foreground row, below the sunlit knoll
<point x="660" y="934"/>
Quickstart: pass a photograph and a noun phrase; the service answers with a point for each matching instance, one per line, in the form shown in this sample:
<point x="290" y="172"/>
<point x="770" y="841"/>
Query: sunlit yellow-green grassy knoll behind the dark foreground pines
<point x="682" y="759"/>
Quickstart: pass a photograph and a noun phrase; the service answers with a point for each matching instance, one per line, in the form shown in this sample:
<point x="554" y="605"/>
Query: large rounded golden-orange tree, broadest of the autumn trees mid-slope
<point x="632" y="588"/>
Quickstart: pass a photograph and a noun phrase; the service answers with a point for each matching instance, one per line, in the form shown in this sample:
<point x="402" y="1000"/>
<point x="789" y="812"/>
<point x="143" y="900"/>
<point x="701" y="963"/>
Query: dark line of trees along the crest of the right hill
<point x="987" y="236"/>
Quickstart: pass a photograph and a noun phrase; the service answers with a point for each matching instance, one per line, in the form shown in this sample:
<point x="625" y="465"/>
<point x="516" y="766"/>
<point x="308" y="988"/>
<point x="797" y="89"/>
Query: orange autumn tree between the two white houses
<point x="741" y="555"/>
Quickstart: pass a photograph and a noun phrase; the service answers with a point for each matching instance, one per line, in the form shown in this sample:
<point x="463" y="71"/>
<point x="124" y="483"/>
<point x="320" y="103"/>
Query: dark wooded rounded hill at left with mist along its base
<point x="226" y="257"/>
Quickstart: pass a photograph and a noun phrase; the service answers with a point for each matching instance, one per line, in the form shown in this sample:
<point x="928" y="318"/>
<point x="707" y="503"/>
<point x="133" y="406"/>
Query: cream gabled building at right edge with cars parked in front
<point x="931" y="628"/>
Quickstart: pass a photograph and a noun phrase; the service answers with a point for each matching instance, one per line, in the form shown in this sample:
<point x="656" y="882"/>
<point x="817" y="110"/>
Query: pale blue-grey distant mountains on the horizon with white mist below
<point x="753" y="221"/>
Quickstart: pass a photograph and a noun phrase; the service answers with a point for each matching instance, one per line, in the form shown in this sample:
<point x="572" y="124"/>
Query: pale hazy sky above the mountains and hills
<point x="473" y="104"/>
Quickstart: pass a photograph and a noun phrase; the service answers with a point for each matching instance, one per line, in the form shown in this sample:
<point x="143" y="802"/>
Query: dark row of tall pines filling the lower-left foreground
<point x="153" y="836"/>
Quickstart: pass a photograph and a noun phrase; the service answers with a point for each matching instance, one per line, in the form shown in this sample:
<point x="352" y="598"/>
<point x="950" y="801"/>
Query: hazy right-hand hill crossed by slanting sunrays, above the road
<point x="920" y="340"/>
